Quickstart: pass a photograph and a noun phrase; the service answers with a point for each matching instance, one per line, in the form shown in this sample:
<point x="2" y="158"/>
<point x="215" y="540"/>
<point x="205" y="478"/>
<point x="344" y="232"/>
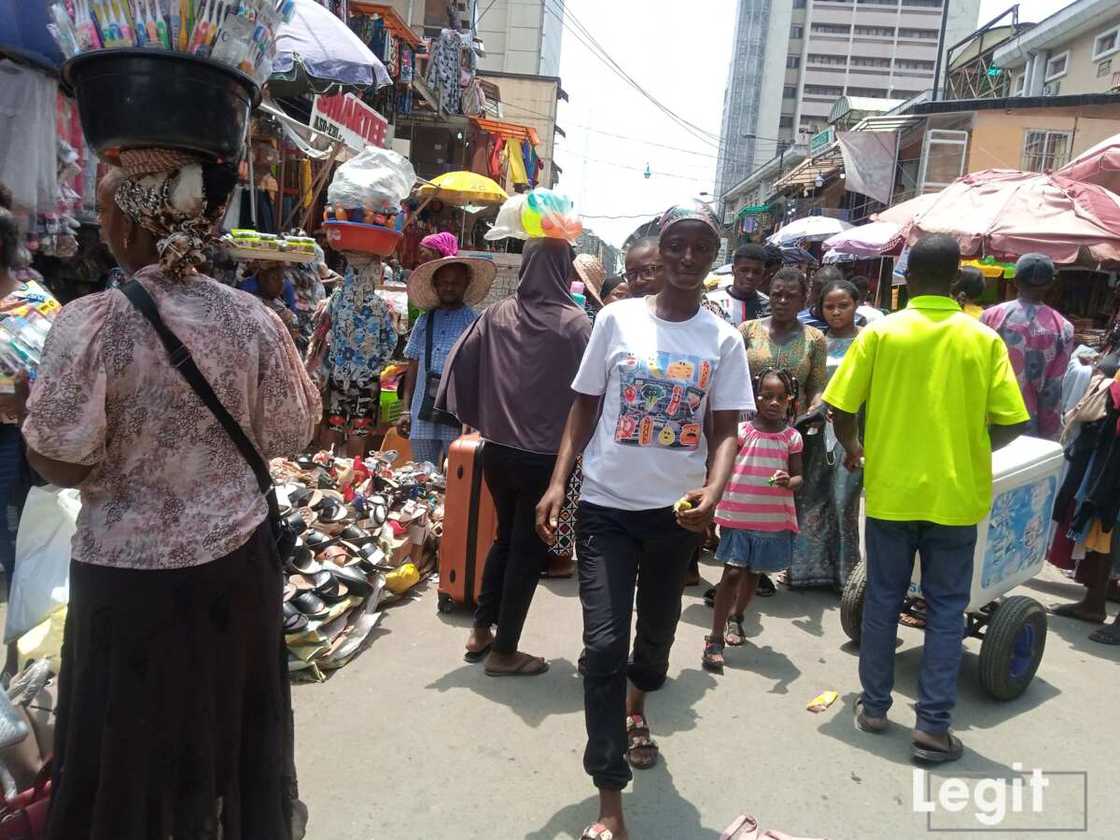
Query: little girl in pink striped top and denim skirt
<point x="757" y="516"/>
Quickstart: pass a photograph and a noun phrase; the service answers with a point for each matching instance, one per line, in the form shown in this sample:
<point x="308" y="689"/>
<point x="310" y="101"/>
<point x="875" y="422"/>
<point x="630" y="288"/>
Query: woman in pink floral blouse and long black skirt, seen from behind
<point x="174" y="712"/>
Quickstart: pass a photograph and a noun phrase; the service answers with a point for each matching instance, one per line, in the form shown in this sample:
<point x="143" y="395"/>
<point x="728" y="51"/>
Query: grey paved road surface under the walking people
<point x="410" y="742"/>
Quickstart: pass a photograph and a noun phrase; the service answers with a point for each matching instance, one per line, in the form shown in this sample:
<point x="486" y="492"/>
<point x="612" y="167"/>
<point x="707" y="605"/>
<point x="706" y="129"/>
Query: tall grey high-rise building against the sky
<point x="795" y="59"/>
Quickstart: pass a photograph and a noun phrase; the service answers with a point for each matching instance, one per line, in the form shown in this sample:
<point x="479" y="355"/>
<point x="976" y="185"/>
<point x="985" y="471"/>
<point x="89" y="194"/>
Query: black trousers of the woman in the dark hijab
<point x="517" y="481"/>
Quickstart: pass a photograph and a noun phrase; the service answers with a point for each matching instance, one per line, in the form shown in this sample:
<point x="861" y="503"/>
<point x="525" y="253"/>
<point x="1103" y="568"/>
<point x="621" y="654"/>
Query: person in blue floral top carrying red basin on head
<point x="362" y="341"/>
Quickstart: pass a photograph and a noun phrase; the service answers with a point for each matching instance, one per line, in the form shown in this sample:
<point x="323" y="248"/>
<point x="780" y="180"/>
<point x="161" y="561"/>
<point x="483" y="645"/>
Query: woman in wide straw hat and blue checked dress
<point x="446" y="290"/>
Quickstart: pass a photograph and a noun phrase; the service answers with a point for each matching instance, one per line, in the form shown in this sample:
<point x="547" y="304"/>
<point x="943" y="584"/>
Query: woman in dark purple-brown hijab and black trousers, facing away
<point x="508" y="377"/>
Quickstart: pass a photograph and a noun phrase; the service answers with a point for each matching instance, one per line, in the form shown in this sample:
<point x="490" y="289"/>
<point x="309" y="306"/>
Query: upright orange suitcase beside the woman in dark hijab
<point x="470" y="526"/>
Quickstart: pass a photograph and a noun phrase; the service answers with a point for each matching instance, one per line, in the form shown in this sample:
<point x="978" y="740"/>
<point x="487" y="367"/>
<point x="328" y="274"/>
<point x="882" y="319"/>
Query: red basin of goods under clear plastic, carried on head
<point x="363" y="212"/>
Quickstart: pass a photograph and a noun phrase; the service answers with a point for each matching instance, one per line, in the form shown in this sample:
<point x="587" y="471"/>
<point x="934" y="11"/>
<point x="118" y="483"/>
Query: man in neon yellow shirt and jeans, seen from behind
<point x="940" y="395"/>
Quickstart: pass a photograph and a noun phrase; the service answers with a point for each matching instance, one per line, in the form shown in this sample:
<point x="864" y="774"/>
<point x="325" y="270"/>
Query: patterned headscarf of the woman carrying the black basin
<point x="163" y="192"/>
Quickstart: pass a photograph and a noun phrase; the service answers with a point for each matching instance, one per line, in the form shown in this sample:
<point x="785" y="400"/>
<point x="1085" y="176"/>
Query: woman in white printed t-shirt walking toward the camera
<point x="657" y="367"/>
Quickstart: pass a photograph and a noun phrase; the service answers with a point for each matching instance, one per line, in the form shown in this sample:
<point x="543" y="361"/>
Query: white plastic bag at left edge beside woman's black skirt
<point x="41" y="584"/>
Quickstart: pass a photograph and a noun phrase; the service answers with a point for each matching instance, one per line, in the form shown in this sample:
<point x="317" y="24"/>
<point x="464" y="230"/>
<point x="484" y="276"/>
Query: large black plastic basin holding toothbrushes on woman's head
<point x="134" y="99"/>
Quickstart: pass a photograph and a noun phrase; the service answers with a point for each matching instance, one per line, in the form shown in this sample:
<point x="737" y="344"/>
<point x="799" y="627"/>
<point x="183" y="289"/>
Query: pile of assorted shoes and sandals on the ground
<point x="370" y="533"/>
